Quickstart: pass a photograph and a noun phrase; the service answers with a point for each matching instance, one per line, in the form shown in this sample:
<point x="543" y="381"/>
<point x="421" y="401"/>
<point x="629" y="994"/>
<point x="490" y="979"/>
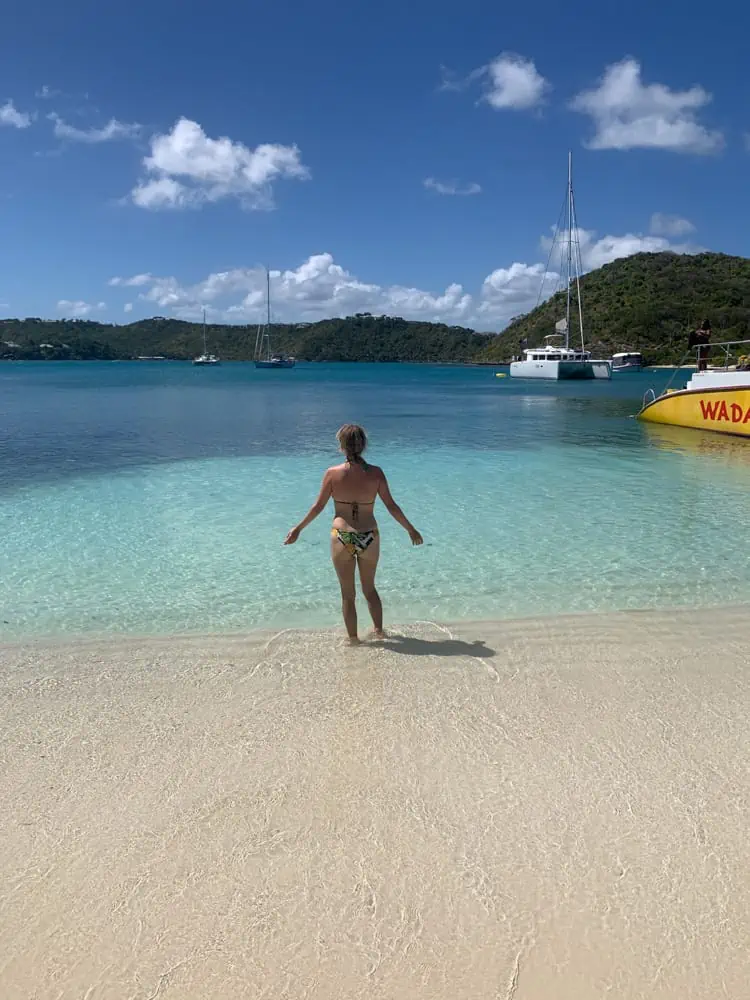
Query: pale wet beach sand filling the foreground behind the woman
<point x="548" y="810"/>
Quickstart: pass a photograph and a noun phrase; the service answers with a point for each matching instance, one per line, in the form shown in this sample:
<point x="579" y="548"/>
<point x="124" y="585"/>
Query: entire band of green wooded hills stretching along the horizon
<point x="648" y="302"/>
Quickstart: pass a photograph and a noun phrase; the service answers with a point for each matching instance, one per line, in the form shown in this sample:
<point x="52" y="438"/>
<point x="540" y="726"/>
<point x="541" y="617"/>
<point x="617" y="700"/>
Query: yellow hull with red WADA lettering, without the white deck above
<point x="722" y="410"/>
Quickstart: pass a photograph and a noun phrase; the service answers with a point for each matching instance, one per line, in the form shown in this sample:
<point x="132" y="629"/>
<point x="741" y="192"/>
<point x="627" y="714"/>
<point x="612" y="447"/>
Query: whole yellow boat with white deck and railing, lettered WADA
<point x="717" y="399"/>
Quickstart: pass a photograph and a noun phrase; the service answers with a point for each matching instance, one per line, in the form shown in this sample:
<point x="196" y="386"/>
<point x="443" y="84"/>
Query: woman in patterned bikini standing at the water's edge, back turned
<point x="355" y="541"/>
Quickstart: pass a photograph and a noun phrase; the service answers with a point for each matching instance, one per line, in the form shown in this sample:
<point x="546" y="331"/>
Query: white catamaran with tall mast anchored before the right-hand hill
<point x="556" y="360"/>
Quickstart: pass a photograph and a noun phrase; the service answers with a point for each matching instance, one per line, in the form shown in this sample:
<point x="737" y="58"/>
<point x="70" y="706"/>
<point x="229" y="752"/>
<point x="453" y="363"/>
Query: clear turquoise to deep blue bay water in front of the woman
<point x="154" y="498"/>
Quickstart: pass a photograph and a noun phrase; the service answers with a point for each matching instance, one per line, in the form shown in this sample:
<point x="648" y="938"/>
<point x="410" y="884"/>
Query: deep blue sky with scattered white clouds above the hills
<point x="402" y="159"/>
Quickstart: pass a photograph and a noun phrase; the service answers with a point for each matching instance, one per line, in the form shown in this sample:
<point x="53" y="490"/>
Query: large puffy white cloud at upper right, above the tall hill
<point x="629" y="114"/>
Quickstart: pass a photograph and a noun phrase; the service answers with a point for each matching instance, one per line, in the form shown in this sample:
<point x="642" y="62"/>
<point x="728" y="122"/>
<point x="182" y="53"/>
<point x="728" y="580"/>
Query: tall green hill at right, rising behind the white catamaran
<point x="647" y="303"/>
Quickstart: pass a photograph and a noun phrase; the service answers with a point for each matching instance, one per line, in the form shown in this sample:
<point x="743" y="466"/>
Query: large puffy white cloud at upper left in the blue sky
<point x="186" y="168"/>
